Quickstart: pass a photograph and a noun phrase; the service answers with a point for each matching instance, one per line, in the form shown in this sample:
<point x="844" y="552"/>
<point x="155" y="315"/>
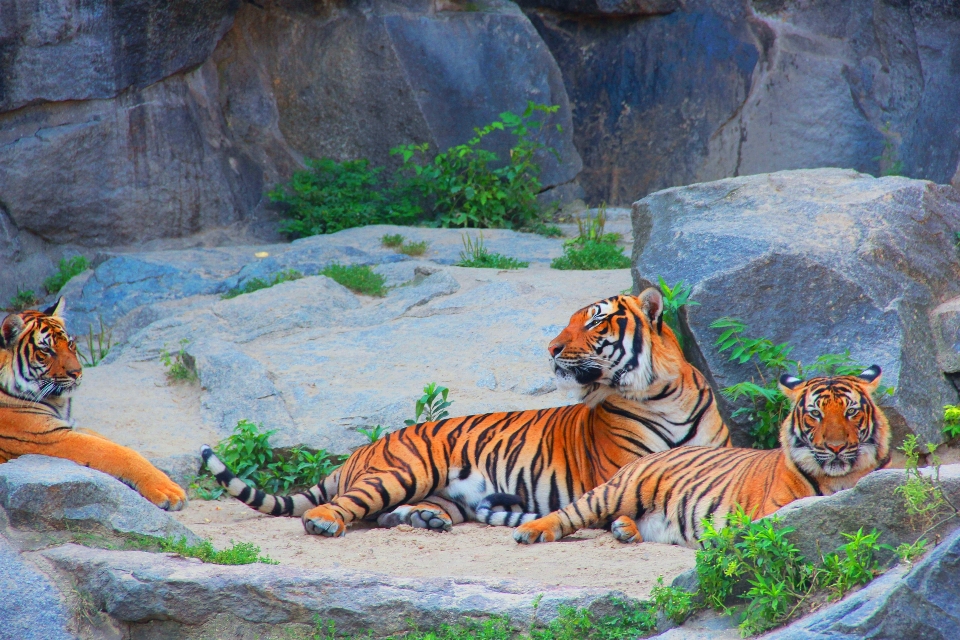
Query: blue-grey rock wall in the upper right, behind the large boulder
<point x="719" y="88"/>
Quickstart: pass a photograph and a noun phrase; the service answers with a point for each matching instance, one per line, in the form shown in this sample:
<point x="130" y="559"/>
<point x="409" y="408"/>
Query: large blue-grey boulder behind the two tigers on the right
<point x="827" y="260"/>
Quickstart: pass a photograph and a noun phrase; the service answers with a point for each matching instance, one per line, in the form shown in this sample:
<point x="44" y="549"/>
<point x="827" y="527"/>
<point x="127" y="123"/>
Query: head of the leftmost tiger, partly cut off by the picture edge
<point x="37" y="357"/>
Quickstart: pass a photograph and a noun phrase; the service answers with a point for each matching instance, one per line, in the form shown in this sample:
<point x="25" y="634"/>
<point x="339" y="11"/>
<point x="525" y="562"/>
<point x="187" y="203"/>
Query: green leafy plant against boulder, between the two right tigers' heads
<point x="767" y="406"/>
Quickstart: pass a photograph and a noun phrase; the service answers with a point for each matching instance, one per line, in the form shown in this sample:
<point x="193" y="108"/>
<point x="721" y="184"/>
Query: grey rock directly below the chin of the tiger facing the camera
<point x="873" y="503"/>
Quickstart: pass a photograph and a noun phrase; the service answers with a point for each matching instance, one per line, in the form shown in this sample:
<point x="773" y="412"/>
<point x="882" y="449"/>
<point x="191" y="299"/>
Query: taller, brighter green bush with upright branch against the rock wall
<point x="469" y="186"/>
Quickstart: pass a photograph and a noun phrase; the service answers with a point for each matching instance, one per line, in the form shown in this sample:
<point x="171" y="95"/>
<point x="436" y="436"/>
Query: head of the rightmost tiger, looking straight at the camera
<point x="834" y="428"/>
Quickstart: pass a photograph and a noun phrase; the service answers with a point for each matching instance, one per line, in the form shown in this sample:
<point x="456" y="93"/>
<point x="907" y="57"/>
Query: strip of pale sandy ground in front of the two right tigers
<point x="587" y="559"/>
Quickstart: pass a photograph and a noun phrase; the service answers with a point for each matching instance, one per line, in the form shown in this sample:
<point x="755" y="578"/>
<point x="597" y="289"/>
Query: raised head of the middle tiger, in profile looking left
<point x="619" y="344"/>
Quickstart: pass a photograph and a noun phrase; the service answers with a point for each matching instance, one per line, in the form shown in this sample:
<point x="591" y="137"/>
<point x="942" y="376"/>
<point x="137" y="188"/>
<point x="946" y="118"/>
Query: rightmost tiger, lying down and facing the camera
<point x="834" y="436"/>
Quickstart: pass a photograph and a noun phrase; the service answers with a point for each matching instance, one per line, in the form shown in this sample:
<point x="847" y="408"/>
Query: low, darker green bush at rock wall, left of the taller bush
<point x="331" y="196"/>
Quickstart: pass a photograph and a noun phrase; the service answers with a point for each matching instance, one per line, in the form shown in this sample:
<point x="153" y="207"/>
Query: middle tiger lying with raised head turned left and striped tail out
<point x="640" y="396"/>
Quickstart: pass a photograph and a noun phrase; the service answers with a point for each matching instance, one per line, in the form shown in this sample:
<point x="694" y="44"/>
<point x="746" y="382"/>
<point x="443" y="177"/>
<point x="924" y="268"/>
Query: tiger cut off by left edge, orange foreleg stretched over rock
<point x="38" y="370"/>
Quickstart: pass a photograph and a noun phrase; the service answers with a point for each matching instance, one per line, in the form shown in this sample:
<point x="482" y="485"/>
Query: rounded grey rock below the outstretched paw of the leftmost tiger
<point x="40" y="493"/>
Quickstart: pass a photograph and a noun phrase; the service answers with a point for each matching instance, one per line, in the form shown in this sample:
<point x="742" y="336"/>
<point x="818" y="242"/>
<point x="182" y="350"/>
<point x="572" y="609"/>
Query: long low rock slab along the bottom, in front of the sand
<point x="185" y="598"/>
